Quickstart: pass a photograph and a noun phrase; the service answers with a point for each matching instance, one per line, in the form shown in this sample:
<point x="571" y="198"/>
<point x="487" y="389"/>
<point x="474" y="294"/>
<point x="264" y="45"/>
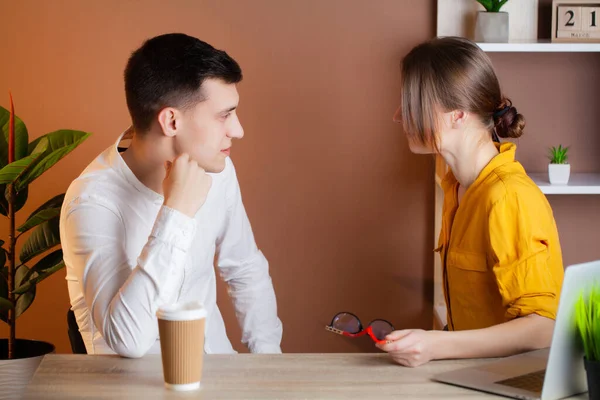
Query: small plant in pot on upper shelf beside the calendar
<point x="492" y="24"/>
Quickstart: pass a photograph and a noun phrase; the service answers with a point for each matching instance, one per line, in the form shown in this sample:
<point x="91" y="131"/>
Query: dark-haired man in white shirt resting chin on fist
<point x="140" y="227"/>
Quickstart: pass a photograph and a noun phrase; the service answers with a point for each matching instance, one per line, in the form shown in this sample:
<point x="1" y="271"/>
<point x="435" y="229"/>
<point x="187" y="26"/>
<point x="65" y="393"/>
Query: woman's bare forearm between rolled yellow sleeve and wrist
<point x="516" y="336"/>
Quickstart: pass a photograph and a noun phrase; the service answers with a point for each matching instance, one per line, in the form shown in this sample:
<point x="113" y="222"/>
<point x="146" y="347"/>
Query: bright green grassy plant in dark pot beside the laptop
<point x="587" y="315"/>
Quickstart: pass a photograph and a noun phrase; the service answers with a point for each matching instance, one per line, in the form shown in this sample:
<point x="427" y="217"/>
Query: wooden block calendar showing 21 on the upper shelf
<point x="575" y="21"/>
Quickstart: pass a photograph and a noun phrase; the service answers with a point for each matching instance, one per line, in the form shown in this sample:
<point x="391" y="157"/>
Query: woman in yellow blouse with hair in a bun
<point x="499" y="244"/>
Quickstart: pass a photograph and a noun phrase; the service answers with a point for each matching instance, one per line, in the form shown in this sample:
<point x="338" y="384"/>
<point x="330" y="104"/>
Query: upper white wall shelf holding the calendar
<point x="540" y="46"/>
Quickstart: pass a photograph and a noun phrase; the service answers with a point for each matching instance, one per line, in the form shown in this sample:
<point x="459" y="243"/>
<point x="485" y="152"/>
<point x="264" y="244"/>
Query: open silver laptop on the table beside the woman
<point x="545" y="374"/>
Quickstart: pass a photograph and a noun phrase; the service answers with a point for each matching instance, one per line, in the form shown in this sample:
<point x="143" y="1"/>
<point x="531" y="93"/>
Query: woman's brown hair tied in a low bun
<point x="453" y="73"/>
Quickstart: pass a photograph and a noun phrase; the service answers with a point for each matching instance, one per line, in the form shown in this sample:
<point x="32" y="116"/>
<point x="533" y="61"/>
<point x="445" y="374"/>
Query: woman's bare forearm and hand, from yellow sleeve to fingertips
<point x="412" y="348"/>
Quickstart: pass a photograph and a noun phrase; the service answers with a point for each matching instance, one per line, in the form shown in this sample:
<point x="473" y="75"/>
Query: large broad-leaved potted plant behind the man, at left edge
<point x="21" y="163"/>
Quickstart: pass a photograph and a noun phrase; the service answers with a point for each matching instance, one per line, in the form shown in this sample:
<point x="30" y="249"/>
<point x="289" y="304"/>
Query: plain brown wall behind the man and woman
<point x="340" y="207"/>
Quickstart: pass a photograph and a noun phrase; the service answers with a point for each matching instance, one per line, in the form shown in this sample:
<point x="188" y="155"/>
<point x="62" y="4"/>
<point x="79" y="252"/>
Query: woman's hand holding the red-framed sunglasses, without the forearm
<point x="412" y="347"/>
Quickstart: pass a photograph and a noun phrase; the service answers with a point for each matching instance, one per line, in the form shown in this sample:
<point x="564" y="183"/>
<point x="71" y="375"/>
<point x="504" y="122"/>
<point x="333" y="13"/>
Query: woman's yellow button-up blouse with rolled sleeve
<point x="500" y="250"/>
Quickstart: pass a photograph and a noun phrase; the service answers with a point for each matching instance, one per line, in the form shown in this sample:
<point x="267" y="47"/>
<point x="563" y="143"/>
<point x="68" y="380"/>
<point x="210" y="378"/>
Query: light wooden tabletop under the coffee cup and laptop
<point x="247" y="376"/>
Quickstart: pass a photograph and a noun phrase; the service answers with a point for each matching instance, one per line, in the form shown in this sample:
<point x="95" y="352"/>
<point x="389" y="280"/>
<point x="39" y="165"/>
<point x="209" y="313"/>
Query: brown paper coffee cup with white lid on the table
<point x="181" y="330"/>
